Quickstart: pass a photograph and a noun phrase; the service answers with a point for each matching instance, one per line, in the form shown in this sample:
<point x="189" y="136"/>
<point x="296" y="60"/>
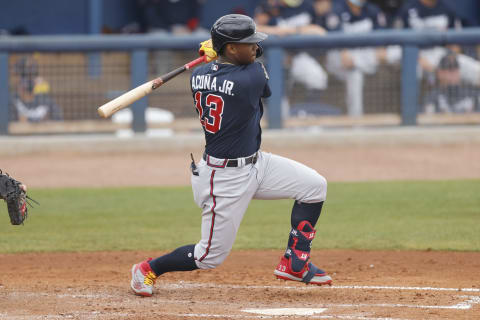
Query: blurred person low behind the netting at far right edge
<point x="450" y="95"/>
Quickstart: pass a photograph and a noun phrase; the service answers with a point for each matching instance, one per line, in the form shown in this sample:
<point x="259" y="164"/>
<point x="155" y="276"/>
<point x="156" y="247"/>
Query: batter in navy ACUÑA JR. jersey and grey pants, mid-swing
<point x="227" y="95"/>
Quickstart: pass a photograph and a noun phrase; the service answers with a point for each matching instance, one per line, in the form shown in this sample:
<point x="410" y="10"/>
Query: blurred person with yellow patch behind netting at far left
<point x="31" y="99"/>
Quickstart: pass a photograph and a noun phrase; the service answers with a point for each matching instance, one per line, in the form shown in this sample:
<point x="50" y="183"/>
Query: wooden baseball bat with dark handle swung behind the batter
<point x="141" y="91"/>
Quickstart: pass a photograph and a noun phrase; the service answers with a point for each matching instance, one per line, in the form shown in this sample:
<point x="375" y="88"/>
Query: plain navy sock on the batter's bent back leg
<point x="181" y="259"/>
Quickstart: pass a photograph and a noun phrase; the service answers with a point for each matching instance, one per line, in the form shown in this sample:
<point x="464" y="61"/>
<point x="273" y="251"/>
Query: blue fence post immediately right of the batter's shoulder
<point x="275" y="57"/>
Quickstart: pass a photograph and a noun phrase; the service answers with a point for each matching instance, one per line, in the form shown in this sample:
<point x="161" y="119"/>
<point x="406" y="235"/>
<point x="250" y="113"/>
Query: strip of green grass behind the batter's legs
<point x="440" y="215"/>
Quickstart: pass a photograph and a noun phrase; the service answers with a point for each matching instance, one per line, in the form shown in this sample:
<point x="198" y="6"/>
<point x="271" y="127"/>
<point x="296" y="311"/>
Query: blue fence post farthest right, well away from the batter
<point x="409" y="85"/>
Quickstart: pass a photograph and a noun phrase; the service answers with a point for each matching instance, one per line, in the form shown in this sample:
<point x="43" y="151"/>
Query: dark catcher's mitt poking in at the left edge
<point x="14" y="193"/>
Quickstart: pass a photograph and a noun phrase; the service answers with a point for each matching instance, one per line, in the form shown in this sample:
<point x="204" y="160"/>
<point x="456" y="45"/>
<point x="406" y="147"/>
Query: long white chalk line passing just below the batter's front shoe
<point x="193" y="285"/>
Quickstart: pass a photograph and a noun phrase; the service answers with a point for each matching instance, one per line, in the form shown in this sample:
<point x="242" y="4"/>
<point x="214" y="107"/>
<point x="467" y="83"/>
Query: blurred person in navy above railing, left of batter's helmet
<point x="174" y="16"/>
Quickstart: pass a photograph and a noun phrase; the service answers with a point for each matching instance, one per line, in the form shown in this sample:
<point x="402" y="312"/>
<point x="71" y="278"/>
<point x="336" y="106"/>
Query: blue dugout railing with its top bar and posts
<point x="139" y="45"/>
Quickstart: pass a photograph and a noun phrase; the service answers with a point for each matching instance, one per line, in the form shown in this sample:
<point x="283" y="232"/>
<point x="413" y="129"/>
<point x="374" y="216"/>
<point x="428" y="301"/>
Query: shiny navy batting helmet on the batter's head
<point x="234" y="28"/>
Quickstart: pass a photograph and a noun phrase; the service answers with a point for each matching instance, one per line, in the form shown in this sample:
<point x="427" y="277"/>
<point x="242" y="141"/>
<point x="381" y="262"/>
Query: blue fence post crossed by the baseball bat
<point x="139" y="75"/>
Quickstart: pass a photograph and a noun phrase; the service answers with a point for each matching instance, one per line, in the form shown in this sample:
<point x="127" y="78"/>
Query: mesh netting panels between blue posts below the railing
<point x="338" y="82"/>
